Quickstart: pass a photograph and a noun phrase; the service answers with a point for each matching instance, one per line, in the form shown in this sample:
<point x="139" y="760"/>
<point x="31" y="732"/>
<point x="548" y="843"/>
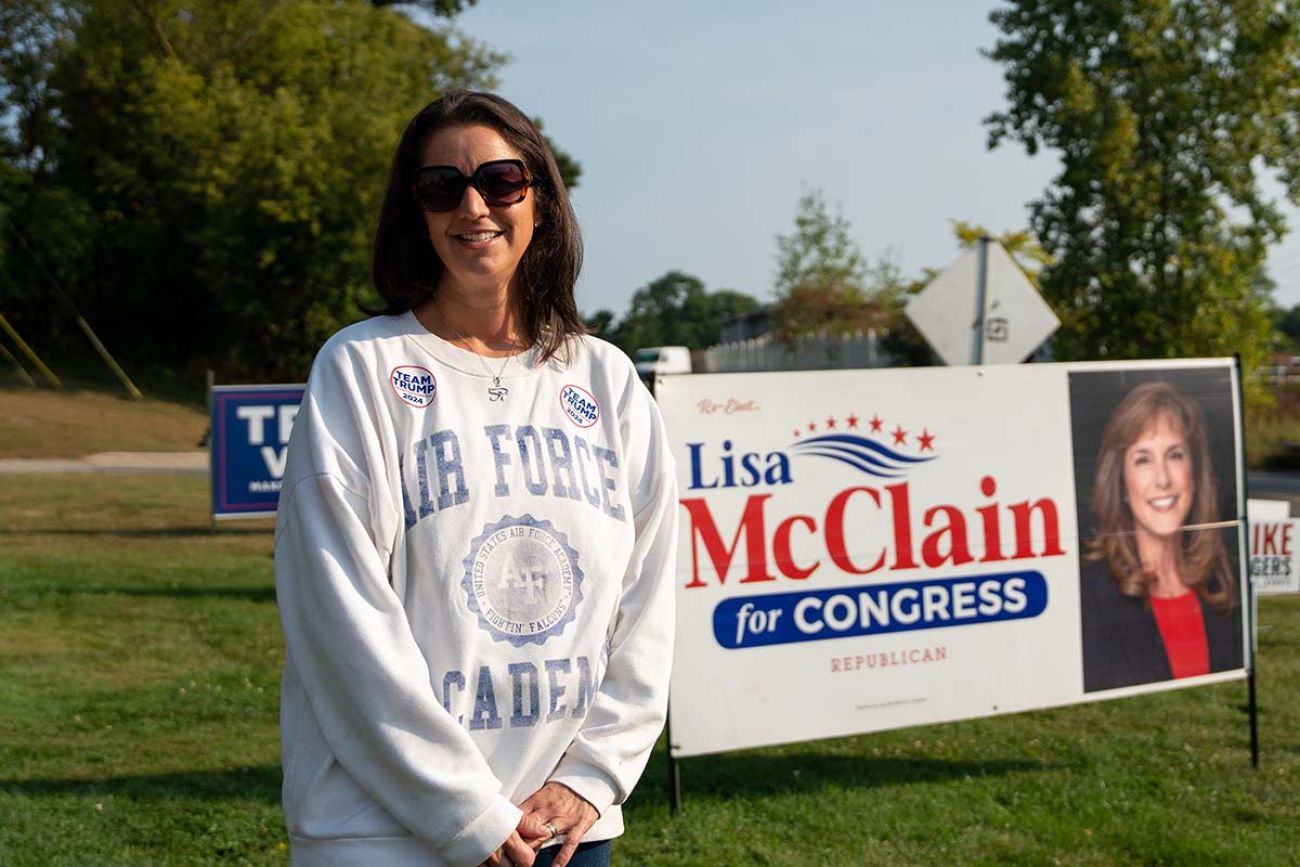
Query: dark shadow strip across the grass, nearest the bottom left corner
<point x="258" y="783"/>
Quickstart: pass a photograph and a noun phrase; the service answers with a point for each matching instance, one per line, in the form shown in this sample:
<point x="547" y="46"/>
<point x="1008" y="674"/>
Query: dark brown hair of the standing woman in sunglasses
<point x="405" y="267"/>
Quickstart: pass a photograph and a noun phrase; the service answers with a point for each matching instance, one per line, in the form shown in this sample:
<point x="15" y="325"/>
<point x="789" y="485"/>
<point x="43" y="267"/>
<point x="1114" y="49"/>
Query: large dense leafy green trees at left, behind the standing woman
<point x="203" y="177"/>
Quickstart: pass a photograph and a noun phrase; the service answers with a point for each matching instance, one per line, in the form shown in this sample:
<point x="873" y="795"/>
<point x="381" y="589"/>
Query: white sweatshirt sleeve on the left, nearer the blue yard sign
<point x="349" y="641"/>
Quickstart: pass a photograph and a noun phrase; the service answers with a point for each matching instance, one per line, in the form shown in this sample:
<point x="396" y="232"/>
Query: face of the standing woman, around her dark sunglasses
<point x="480" y="245"/>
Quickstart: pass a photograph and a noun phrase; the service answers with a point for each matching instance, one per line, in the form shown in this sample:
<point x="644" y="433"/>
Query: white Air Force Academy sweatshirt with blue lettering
<point x="476" y="595"/>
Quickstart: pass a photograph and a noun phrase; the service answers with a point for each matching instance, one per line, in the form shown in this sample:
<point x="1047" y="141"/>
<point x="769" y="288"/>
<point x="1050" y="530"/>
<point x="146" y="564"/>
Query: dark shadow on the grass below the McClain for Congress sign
<point x="721" y="778"/>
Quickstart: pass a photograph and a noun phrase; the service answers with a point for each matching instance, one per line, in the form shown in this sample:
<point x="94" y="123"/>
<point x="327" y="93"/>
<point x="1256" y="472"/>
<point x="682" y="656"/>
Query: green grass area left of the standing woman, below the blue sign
<point x="140" y="662"/>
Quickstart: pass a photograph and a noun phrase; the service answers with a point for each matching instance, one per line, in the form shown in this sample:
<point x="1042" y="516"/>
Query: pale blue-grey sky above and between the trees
<point x="699" y="125"/>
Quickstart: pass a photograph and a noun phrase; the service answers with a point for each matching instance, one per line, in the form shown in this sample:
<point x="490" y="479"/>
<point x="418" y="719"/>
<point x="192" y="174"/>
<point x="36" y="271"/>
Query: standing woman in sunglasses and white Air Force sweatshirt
<point x="476" y="534"/>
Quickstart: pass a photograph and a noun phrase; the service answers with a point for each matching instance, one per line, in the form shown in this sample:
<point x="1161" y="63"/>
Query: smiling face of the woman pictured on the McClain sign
<point x="1159" y="479"/>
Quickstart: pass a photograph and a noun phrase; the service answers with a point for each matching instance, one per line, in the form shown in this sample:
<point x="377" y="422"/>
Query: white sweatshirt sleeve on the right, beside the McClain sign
<point x="606" y="760"/>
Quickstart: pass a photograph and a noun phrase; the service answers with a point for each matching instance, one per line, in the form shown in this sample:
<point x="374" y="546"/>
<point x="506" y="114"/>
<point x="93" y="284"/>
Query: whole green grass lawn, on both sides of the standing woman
<point x="140" y="660"/>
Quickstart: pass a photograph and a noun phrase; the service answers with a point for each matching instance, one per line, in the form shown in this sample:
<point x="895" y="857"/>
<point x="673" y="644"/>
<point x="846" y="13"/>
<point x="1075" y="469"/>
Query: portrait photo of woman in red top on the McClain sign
<point x="1160" y="579"/>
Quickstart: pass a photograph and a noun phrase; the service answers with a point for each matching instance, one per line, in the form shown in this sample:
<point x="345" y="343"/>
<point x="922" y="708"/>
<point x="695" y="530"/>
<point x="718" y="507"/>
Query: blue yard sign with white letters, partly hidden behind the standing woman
<point x="250" y="436"/>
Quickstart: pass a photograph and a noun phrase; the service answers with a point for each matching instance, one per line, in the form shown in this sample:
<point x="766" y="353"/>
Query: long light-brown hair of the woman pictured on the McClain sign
<point x="1204" y="563"/>
